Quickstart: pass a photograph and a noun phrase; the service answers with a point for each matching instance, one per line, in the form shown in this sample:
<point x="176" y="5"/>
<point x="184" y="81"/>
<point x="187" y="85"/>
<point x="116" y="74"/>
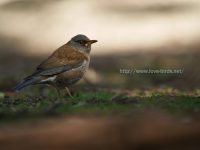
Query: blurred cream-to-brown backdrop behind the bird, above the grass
<point x="152" y="34"/>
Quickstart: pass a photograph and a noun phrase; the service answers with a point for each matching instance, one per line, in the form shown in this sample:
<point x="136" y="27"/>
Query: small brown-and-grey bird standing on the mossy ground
<point x="64" y="67"/>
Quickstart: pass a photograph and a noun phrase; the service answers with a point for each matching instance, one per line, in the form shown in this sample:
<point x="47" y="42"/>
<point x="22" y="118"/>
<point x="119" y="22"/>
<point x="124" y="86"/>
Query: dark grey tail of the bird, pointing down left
<point x="26" y="82"/>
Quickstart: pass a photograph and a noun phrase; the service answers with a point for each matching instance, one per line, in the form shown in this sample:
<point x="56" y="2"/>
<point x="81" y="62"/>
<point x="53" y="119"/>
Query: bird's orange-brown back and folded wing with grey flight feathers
<point x="63" y="59"/>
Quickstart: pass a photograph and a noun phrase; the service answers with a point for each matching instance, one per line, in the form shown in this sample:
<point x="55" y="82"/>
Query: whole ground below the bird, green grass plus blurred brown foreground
<point x="135" y="119"/>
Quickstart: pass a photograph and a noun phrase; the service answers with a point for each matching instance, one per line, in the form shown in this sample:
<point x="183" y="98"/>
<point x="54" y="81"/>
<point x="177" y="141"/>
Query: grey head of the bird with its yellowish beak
<point x="81" y="43"/>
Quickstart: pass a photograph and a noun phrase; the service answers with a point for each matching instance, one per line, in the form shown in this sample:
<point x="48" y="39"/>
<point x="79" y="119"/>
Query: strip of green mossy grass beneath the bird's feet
<point x="104" y="103"/>
